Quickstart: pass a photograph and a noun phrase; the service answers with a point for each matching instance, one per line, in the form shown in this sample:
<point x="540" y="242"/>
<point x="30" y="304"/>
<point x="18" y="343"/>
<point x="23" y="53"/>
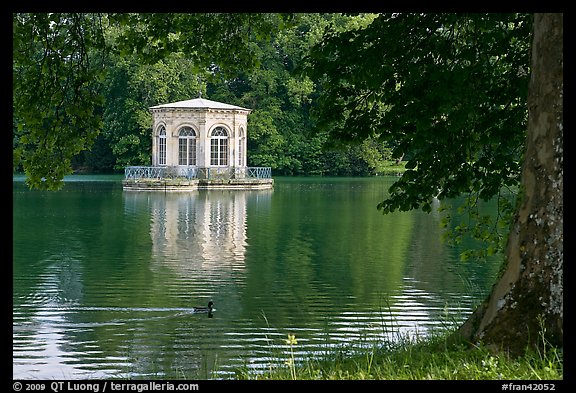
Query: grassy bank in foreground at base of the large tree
<point x="429" y="359"/>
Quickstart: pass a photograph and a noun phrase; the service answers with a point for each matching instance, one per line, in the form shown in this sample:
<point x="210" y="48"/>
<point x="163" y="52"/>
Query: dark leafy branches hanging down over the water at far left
<point x="56" y="93"/>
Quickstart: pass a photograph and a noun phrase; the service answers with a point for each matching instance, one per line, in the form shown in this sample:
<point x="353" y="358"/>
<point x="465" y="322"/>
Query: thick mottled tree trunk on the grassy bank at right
<point x="525" y="307"/>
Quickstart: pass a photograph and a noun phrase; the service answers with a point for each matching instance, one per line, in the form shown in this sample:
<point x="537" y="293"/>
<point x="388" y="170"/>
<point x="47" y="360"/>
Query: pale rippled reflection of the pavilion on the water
<point x="202" y="231"/>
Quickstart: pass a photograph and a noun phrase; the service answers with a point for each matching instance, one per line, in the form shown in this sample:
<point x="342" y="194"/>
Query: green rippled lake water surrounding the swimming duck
<point x="105" y="281"/>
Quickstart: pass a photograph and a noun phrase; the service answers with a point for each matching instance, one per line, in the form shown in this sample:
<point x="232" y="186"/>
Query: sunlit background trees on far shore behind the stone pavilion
<point x="282" y="134"/>
